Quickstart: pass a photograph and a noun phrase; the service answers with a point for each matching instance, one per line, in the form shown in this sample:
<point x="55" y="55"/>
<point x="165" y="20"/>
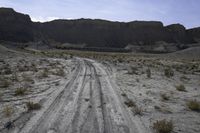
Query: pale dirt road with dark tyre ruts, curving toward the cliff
<point x="90" y="102"/>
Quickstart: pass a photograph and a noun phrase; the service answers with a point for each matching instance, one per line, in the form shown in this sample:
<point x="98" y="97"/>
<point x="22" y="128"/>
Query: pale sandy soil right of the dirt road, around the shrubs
<point x="147" y="92"/>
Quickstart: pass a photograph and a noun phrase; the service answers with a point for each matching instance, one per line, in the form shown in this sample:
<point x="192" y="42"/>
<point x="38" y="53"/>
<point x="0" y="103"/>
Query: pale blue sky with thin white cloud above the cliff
<point x="186" y="12"/>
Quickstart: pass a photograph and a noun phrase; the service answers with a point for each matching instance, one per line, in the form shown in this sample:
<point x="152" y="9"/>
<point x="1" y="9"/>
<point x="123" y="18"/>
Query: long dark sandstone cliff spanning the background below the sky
<point x="92" y="33"/>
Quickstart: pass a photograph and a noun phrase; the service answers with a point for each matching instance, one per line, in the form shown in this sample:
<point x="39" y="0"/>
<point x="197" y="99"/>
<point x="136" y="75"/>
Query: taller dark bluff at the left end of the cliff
<point x="15" y="26"/>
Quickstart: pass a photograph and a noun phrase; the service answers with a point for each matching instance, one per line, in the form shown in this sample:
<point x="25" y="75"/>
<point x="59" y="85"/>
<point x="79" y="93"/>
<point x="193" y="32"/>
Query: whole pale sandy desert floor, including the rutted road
<point x="81" y="95"/>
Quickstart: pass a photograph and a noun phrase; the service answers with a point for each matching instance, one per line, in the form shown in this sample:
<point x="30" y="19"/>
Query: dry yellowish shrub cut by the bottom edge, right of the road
<point x="163" y="126"/>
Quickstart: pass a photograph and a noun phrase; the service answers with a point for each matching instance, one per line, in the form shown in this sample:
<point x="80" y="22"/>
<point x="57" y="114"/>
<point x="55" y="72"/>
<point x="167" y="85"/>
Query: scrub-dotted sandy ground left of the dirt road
<point x="24" y="79"/>
